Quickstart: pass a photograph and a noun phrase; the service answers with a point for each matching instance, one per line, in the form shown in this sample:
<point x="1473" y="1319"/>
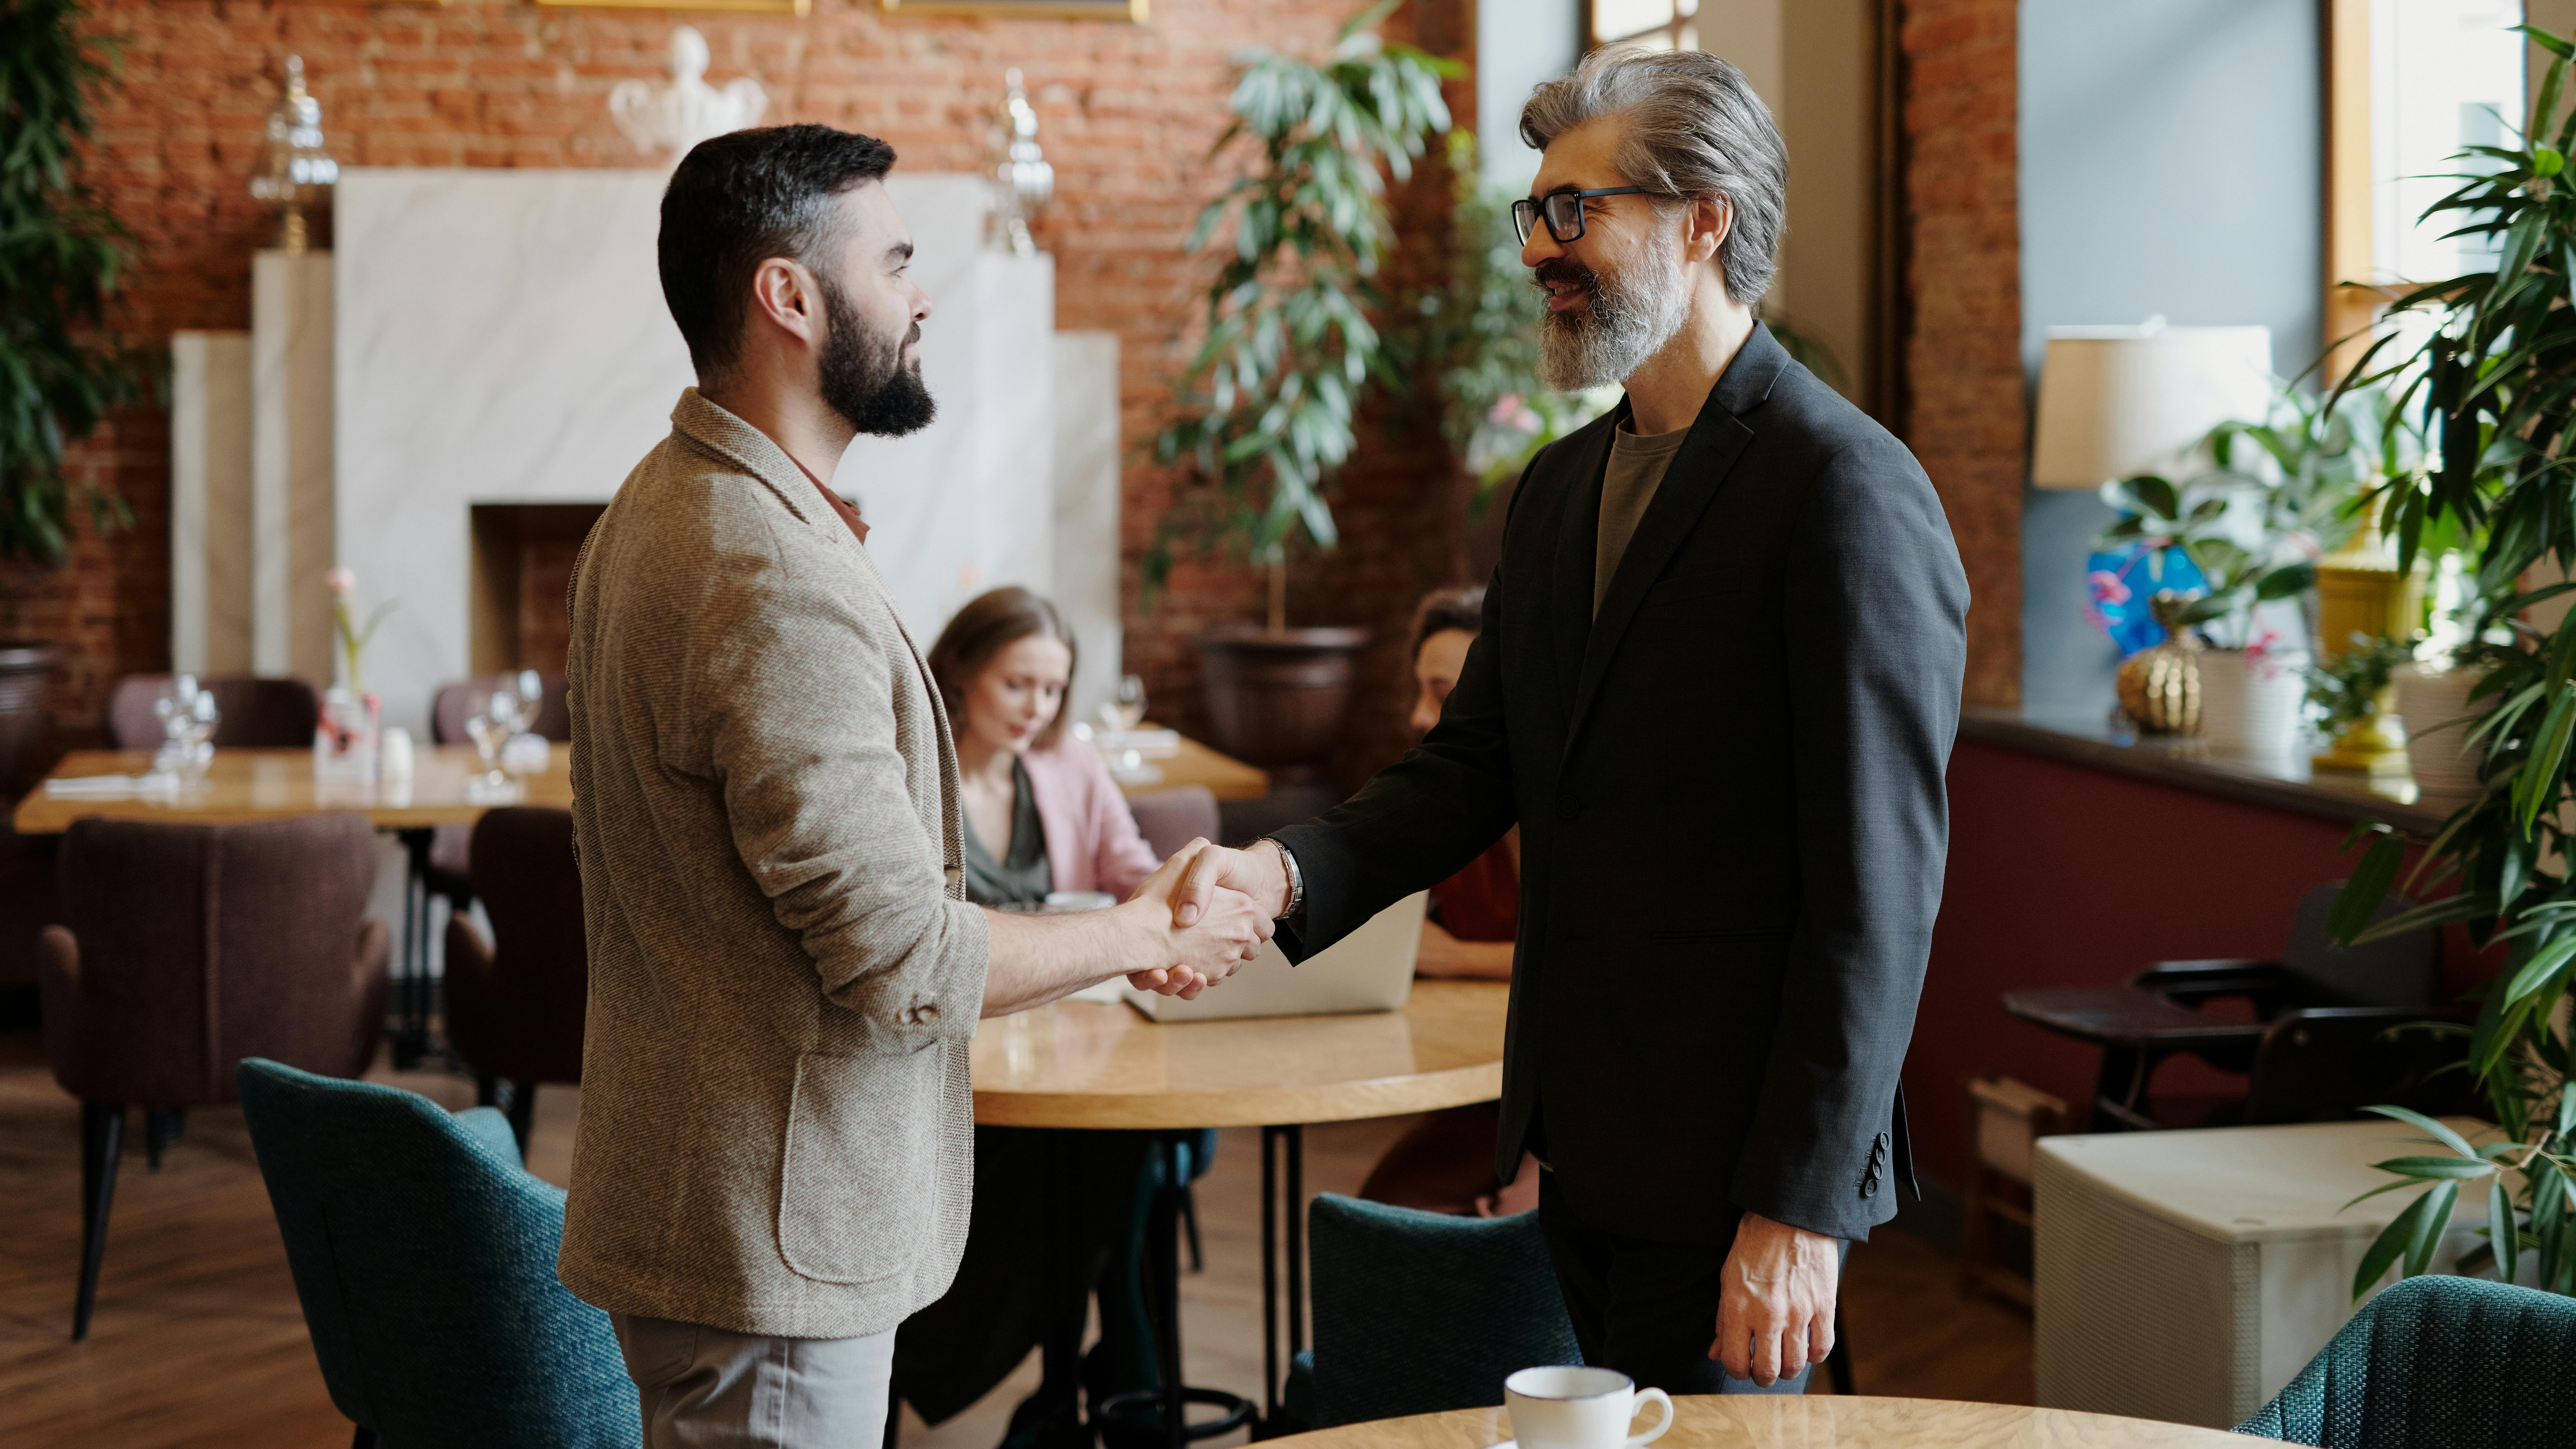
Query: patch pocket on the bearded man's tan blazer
<point x="859" y="1182"/>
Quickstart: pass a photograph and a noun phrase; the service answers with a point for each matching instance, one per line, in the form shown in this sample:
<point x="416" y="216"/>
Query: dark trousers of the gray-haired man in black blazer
<point x="1645" y="1308"/>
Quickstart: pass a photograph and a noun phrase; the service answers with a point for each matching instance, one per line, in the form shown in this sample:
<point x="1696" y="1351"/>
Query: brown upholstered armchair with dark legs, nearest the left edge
<point x="192" y="948"/>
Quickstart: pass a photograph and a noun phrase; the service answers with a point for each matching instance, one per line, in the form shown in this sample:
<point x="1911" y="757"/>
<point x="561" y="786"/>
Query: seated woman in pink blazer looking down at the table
<point x="1042" y="813"/>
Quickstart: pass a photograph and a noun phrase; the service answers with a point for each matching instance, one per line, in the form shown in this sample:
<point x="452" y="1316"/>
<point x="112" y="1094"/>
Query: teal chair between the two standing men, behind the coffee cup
<point x="1423" y="1311"/>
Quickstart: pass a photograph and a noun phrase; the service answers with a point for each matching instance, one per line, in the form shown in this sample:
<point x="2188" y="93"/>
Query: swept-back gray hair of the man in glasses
<point x="1694" y="130"/>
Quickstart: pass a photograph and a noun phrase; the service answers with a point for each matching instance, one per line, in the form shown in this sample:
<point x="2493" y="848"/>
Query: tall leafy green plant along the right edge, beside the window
<point x="2492" y="362"/>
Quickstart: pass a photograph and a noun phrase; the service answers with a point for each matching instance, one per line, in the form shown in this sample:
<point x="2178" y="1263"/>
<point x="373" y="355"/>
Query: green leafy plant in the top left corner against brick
<point x="63" y="257"/>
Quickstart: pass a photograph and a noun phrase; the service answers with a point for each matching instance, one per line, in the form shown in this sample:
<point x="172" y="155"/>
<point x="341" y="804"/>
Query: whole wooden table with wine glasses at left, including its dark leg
<point x="243" y="788"/>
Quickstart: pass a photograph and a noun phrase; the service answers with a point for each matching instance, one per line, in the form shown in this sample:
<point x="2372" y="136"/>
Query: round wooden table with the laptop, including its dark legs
<point x="1096" y="1066"/>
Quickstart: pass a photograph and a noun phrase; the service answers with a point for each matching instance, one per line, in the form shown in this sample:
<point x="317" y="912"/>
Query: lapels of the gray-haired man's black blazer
<point x="1694" y="478"/>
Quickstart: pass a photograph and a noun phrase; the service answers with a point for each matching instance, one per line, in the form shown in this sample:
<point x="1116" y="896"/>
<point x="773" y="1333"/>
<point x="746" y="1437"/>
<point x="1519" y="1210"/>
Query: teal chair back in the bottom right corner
<point x="2438" y="1365"/>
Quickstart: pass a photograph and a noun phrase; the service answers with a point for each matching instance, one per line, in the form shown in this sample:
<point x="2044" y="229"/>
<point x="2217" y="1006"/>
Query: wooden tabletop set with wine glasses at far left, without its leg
<point x="279" y="785"/>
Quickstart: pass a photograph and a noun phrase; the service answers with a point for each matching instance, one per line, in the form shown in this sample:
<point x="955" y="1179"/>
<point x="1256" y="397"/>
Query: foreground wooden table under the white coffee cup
<point x="1810" y="1422"/>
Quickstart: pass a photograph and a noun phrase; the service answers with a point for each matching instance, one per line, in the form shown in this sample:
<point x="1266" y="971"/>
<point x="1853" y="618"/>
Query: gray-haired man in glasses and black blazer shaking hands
<point x="1717" y="690"/>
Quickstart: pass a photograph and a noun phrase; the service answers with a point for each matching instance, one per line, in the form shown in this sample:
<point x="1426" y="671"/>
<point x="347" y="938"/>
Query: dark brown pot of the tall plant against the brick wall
<point x="1279" y="697"/>
